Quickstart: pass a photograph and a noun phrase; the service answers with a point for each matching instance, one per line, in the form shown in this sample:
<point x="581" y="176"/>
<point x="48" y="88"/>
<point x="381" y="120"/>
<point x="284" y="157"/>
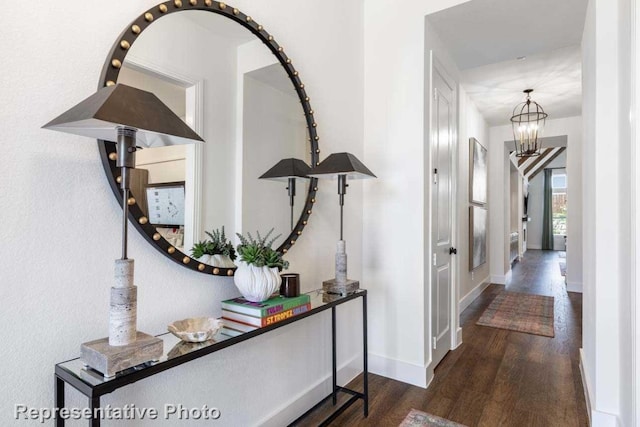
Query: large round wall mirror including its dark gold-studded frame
<point x="231" y="82"/>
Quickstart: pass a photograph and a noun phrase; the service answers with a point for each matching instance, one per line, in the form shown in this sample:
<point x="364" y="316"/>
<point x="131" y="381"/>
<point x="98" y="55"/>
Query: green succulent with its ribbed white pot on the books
<point x="258" y="273"/>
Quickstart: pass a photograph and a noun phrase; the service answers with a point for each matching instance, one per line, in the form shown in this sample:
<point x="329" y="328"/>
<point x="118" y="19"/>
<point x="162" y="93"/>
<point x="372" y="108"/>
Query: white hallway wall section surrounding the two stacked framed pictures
<point x="472" y="125"/>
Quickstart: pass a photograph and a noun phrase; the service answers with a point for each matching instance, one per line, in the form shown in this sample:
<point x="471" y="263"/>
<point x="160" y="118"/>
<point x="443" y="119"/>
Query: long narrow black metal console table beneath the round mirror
<point x="93" y="385"/>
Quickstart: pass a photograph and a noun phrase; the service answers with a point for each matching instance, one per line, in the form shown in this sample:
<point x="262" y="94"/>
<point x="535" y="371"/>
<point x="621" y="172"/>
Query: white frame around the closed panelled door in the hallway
<point x="434" y="63"/>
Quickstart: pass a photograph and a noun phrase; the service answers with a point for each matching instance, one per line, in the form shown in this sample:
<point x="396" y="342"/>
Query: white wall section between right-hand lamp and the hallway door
<point x="395" y="269"/>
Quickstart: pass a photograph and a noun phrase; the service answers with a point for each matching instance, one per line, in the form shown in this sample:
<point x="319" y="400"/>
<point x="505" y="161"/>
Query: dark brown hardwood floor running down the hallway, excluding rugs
<point x="496" y="377"/>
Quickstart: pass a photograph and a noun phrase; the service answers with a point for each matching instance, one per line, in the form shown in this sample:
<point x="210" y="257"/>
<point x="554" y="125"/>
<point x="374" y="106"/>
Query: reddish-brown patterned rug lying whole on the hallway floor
<point x="532" y="314"/>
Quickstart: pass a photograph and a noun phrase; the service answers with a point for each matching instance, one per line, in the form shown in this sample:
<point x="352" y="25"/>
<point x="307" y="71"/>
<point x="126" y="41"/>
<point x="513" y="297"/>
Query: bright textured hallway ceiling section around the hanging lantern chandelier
<point x="555" y="77"/>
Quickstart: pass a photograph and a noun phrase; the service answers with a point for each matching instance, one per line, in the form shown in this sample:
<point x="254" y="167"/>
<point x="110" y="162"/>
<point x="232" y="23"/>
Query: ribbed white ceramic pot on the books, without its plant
<point x="256" y="284"/>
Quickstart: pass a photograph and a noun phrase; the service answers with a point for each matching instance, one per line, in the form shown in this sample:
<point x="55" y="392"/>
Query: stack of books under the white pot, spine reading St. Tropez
<point x="240" y="315"/>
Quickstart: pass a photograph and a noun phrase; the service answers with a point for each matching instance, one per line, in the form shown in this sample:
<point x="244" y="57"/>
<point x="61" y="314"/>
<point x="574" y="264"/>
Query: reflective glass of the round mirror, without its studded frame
<point x="227" y="85"/>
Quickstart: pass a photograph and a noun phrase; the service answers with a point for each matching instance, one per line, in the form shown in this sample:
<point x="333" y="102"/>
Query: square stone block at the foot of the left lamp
<point x="109" y="359"/>
